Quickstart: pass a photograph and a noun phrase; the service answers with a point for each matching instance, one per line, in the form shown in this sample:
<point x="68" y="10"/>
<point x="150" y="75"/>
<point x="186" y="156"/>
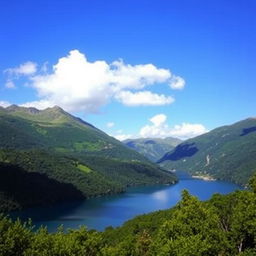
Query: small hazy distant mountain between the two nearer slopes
<point x="152" y="148"/>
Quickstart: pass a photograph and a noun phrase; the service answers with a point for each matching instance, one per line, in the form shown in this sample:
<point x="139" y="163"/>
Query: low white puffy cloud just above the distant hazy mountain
<point x="160" y="129"/>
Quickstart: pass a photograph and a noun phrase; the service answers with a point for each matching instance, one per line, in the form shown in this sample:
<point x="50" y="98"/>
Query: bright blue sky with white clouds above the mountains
<point x="148" y="68"/>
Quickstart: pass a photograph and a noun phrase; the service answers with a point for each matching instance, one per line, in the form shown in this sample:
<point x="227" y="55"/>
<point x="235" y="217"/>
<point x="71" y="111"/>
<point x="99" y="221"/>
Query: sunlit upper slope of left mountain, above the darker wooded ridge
<point x="56" y="129"/>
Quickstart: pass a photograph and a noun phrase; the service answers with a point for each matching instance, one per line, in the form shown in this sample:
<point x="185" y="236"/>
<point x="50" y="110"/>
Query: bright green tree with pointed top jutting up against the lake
<point x="194" y="229"/>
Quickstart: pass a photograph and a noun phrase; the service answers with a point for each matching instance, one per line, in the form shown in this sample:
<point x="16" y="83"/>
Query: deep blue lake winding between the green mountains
<point x="99" y="213"/>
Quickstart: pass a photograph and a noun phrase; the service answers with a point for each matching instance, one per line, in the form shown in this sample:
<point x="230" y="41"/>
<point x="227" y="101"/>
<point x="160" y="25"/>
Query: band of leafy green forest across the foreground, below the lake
<point x="223" y="225"/>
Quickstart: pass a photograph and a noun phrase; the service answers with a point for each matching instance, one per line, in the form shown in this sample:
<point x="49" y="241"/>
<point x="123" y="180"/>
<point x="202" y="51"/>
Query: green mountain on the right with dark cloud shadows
<point x="226" y="153"/>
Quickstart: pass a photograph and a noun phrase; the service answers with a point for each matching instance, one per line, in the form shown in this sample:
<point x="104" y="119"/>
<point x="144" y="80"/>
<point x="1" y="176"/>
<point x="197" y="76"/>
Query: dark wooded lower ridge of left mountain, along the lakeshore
<point x="39" y="178"/>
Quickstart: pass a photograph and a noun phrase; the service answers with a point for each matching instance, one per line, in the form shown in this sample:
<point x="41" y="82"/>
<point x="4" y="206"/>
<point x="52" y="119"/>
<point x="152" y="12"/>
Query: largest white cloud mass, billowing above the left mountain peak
<point x="77" y="84"/>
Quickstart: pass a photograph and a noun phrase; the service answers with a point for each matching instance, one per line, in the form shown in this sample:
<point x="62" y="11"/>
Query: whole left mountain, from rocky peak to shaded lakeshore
<point x="50" y="156"/>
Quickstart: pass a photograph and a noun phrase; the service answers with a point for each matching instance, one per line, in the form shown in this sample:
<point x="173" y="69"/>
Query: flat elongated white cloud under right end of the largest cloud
<point x="143" y="98"/>
